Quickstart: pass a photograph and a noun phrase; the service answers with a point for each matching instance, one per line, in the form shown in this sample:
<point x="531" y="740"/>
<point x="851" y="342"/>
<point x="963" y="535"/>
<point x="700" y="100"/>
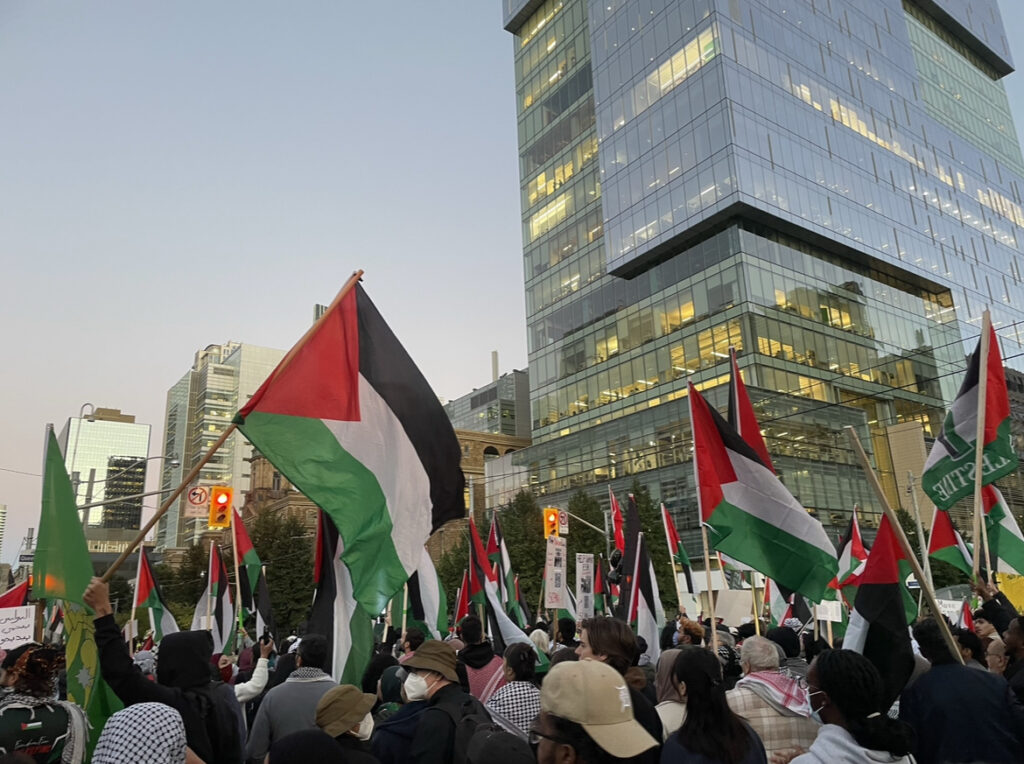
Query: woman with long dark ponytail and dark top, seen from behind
<point x="711" y="734"/>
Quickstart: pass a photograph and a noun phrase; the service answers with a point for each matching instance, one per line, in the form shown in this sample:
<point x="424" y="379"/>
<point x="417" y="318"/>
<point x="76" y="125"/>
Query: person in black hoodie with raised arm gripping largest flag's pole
<point x="215" y="728"/>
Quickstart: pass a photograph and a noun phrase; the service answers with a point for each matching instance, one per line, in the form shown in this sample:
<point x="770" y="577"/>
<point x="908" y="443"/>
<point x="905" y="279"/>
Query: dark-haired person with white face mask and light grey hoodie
<point x="846" y="692"/>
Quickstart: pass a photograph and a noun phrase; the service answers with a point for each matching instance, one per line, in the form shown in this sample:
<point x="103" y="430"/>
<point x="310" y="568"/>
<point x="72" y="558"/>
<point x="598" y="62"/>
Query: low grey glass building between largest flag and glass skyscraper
<point x="500" y="408"/>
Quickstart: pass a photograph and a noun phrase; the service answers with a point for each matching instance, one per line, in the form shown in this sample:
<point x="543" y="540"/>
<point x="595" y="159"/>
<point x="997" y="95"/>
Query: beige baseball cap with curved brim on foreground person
<point x="596" y="697"/>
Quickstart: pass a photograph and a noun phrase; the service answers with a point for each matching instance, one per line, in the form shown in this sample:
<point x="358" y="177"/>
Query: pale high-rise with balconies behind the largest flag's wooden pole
<point x="200" y="407"/>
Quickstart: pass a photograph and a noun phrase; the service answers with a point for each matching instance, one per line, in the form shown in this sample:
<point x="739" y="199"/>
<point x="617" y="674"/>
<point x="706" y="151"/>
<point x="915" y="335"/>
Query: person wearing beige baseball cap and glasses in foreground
<point x="587" y="717"/>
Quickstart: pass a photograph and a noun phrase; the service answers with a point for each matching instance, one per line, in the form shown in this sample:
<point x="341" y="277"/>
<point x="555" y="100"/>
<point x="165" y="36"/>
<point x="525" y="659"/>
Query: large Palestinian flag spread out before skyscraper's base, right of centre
<point x="749" y="513"/>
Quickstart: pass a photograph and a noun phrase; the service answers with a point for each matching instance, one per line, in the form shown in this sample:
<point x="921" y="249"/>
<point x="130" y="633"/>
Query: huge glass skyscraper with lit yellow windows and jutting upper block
<point x="833" y="188"/>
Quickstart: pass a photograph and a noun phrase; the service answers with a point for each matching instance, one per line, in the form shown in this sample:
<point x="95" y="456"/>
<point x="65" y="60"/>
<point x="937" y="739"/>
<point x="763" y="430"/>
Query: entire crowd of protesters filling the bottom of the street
<point x="569" y="694"/>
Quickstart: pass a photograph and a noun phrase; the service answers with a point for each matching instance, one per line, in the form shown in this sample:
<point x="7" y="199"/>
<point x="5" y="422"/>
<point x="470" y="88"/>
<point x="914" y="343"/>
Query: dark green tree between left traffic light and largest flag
<point x="286" y="548"/>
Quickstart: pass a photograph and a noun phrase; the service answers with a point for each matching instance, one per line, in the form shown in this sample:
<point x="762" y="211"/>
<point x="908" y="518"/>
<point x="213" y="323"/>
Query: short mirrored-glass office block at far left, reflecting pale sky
<point x="107" y="454"/>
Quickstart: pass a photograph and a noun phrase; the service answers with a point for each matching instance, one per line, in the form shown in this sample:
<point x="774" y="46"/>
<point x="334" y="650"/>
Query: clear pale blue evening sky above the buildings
<point x="180" y="175"/>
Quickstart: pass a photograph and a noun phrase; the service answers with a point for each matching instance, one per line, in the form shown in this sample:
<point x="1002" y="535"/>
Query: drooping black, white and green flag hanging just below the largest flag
<point x="335" y="613"/>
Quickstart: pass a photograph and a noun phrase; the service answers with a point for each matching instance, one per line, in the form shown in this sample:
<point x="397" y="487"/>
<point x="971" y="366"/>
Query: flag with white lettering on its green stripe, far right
<point x="949" y="475"/>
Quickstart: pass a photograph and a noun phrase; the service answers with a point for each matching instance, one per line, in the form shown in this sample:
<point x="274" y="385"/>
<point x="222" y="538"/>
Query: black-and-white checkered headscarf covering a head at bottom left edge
<point x="149" y="733"/>
